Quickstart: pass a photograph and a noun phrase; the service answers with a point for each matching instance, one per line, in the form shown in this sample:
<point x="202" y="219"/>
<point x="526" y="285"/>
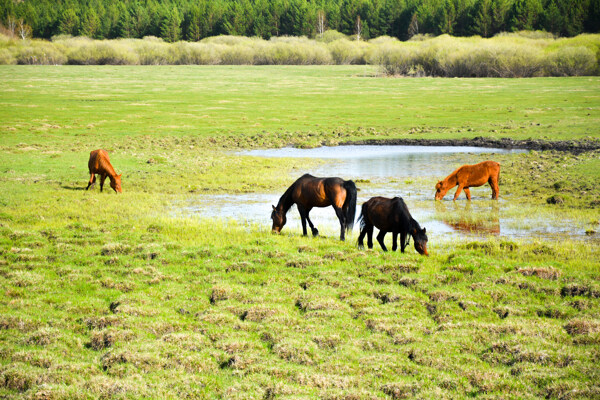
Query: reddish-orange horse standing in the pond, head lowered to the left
<point x="470" y="176"/>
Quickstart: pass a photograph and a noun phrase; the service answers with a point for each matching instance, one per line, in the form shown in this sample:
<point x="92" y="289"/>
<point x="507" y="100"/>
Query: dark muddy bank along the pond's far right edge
<point x="504" y="143"/>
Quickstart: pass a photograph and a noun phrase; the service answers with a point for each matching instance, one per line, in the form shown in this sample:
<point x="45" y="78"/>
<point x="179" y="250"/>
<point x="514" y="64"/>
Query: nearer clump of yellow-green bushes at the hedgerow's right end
<point x="505" y="56"/>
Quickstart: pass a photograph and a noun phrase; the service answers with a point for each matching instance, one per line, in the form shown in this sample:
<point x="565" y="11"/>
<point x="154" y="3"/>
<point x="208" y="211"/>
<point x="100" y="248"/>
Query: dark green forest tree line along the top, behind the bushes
<point x="193" y="20"/>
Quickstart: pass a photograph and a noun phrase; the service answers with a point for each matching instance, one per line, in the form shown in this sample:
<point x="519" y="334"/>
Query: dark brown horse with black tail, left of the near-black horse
<point x="308" y="192"/>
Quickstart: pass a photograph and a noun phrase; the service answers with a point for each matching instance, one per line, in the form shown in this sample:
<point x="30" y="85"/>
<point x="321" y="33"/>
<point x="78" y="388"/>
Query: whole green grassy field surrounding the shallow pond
<point x="107" y="296"/>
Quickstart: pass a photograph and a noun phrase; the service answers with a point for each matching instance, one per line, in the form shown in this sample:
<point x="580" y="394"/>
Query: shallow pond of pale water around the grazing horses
<point x="400" y="169"/>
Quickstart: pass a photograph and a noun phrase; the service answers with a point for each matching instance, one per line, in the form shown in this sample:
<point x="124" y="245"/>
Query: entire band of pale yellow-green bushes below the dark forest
<point x="520" y="54"/>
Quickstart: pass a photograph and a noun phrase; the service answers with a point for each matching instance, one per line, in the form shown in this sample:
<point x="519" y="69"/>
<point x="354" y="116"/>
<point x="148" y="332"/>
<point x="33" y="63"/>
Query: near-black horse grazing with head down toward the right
<point x="390" y="215"/>
